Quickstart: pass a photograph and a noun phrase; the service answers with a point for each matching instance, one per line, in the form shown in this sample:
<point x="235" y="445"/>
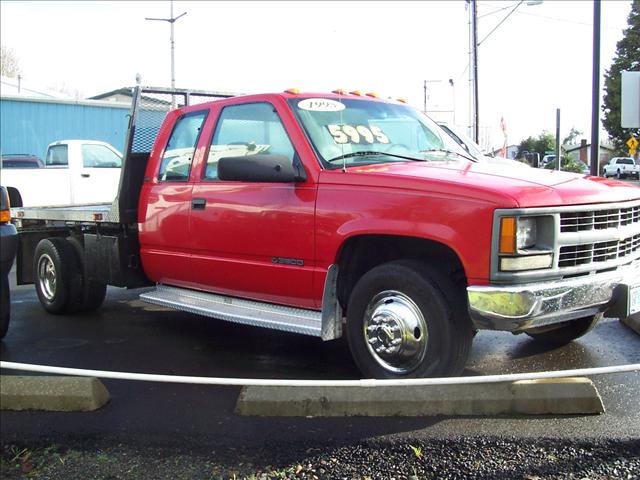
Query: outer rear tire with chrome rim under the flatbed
<point x="58" y="276"/>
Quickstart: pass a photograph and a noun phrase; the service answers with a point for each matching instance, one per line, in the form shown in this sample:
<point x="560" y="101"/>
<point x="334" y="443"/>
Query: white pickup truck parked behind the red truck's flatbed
<point x="75" y="172"/>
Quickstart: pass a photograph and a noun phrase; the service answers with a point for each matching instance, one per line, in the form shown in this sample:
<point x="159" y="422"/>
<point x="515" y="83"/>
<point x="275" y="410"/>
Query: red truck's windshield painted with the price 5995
<point x="362" y="132"/>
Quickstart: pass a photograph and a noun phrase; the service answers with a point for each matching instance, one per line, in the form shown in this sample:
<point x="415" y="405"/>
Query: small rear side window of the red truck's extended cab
<point x="176" y="161"/>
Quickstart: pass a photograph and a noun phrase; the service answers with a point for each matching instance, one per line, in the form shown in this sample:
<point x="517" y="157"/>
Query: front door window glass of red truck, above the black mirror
<point x="247" y="130"/>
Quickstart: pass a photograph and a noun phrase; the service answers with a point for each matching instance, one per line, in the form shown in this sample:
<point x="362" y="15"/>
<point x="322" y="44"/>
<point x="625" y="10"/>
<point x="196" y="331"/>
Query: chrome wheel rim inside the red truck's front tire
<point x="395" y="332"/>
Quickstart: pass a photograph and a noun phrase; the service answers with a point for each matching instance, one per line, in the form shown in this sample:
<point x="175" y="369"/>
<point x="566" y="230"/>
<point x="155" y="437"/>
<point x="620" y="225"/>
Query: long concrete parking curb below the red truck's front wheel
<point x="564" y="396"/>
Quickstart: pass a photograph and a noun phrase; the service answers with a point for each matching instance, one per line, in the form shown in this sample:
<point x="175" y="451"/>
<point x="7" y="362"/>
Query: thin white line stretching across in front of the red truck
<point x="146" y="377"/>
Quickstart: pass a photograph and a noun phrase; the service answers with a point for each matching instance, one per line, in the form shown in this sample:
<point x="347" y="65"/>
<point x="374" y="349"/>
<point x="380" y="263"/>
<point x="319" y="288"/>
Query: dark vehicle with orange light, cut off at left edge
<point x="8" y="248"/>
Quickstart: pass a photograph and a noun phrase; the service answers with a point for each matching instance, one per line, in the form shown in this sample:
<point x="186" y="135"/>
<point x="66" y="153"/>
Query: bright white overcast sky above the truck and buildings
<point x="537" y="60"/>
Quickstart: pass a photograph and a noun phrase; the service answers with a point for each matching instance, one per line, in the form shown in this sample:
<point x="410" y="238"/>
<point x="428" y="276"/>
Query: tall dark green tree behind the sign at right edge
<point x="627" y="58"/>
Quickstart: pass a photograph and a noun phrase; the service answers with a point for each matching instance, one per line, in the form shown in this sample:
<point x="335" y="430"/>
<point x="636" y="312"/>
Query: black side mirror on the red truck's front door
<point x="261" y="168"/>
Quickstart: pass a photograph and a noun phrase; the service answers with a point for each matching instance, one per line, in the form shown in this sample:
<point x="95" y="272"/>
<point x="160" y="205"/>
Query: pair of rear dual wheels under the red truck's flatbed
<point x="63" y="284"/>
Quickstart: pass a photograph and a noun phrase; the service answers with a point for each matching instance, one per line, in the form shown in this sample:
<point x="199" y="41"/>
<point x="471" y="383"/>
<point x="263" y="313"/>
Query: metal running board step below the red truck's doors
<point x="231" y="309"/>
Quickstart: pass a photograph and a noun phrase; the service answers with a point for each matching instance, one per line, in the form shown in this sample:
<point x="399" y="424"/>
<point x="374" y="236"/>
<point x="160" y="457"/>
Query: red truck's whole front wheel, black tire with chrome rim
<point x="422" y="327"/>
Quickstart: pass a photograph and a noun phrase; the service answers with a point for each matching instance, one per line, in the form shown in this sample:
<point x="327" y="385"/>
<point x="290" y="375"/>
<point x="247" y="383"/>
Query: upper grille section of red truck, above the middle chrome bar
<point x="599" y="219"/>
